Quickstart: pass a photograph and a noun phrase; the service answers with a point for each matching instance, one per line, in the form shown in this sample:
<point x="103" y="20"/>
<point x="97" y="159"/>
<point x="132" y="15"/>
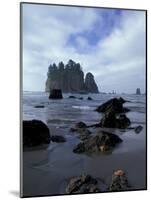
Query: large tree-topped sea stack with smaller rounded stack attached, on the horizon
<point x="70" y="79"/>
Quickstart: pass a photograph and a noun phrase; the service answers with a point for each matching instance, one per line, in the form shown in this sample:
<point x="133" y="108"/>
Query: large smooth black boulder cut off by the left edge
<point x="35" y="133"/>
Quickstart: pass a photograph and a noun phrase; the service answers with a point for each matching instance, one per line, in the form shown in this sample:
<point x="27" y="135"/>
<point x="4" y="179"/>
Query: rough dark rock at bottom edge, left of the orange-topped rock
<point x="82" y="185"/>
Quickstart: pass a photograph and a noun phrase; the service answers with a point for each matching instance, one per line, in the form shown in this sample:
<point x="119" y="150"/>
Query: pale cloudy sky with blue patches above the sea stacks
<point x="109" y="43"/>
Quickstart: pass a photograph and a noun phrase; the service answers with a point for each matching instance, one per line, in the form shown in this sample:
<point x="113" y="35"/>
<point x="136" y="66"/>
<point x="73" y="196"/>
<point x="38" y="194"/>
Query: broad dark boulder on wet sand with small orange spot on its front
<point x="101" y="142"/>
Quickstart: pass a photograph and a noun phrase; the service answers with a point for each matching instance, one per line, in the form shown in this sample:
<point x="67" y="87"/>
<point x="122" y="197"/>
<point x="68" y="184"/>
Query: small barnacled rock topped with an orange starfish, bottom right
<point x="119" y="181"/>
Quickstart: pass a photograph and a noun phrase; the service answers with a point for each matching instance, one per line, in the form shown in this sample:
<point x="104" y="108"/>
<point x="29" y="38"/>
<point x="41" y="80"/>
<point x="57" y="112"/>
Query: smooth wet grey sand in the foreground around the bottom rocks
<point x="47" y="172"/>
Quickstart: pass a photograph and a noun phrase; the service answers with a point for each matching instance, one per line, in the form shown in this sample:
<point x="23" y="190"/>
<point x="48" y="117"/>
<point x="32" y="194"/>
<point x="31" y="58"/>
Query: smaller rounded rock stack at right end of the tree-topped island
<point x="90" y="83"/>
